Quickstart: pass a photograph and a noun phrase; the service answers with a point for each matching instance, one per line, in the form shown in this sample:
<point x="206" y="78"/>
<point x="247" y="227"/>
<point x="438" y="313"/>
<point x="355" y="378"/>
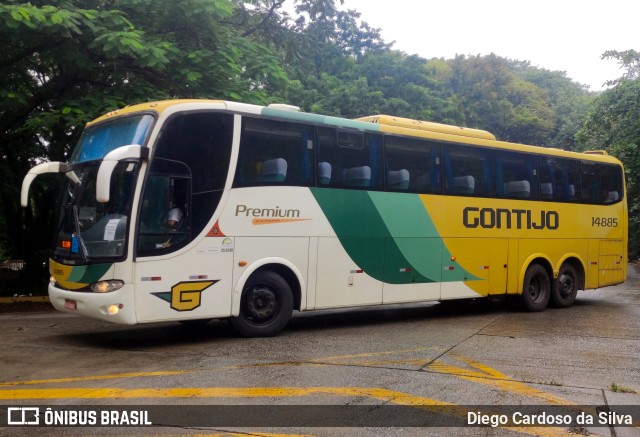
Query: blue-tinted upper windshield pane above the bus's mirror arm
<point x="102" y="138"/>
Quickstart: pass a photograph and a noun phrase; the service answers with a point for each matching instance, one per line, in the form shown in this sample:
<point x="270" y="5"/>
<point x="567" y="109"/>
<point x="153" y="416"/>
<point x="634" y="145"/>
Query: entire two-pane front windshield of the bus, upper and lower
<point x="87" y="229"/>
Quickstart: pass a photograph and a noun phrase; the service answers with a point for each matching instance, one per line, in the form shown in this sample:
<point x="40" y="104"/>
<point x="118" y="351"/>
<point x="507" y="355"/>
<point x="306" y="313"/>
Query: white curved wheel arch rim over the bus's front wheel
<point x="282" y="267"/>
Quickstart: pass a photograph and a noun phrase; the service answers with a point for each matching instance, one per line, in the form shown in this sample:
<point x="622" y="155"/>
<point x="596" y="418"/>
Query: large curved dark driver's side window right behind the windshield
<point x="188" y="170"/>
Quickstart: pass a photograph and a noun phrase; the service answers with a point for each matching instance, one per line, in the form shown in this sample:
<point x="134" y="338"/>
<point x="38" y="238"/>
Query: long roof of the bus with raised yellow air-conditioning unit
<point x="375" y="123"/>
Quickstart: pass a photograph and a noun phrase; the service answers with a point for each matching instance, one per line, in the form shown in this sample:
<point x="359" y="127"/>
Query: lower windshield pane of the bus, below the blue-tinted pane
<point x="89" y="230"/>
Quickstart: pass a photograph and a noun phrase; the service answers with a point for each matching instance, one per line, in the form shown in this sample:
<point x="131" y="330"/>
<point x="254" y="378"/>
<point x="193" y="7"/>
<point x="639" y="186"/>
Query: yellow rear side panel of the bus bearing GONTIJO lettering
<point x="484" y="252"/>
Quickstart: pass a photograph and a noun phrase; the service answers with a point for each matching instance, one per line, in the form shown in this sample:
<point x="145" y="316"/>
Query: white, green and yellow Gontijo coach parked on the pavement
<point x="274" y="210"/>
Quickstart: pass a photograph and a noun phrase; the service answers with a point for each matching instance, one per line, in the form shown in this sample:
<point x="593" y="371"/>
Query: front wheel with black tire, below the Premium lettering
<point x="266" y="306"/>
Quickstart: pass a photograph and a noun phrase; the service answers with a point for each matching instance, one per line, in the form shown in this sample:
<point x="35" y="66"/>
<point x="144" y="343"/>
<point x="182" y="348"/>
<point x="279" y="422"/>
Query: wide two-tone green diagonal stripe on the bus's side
<point x="389" y="235"/>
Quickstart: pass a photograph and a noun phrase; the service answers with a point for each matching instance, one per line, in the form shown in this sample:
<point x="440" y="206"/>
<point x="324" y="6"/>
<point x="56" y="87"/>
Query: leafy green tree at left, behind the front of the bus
<point x="65" y="63"/>
